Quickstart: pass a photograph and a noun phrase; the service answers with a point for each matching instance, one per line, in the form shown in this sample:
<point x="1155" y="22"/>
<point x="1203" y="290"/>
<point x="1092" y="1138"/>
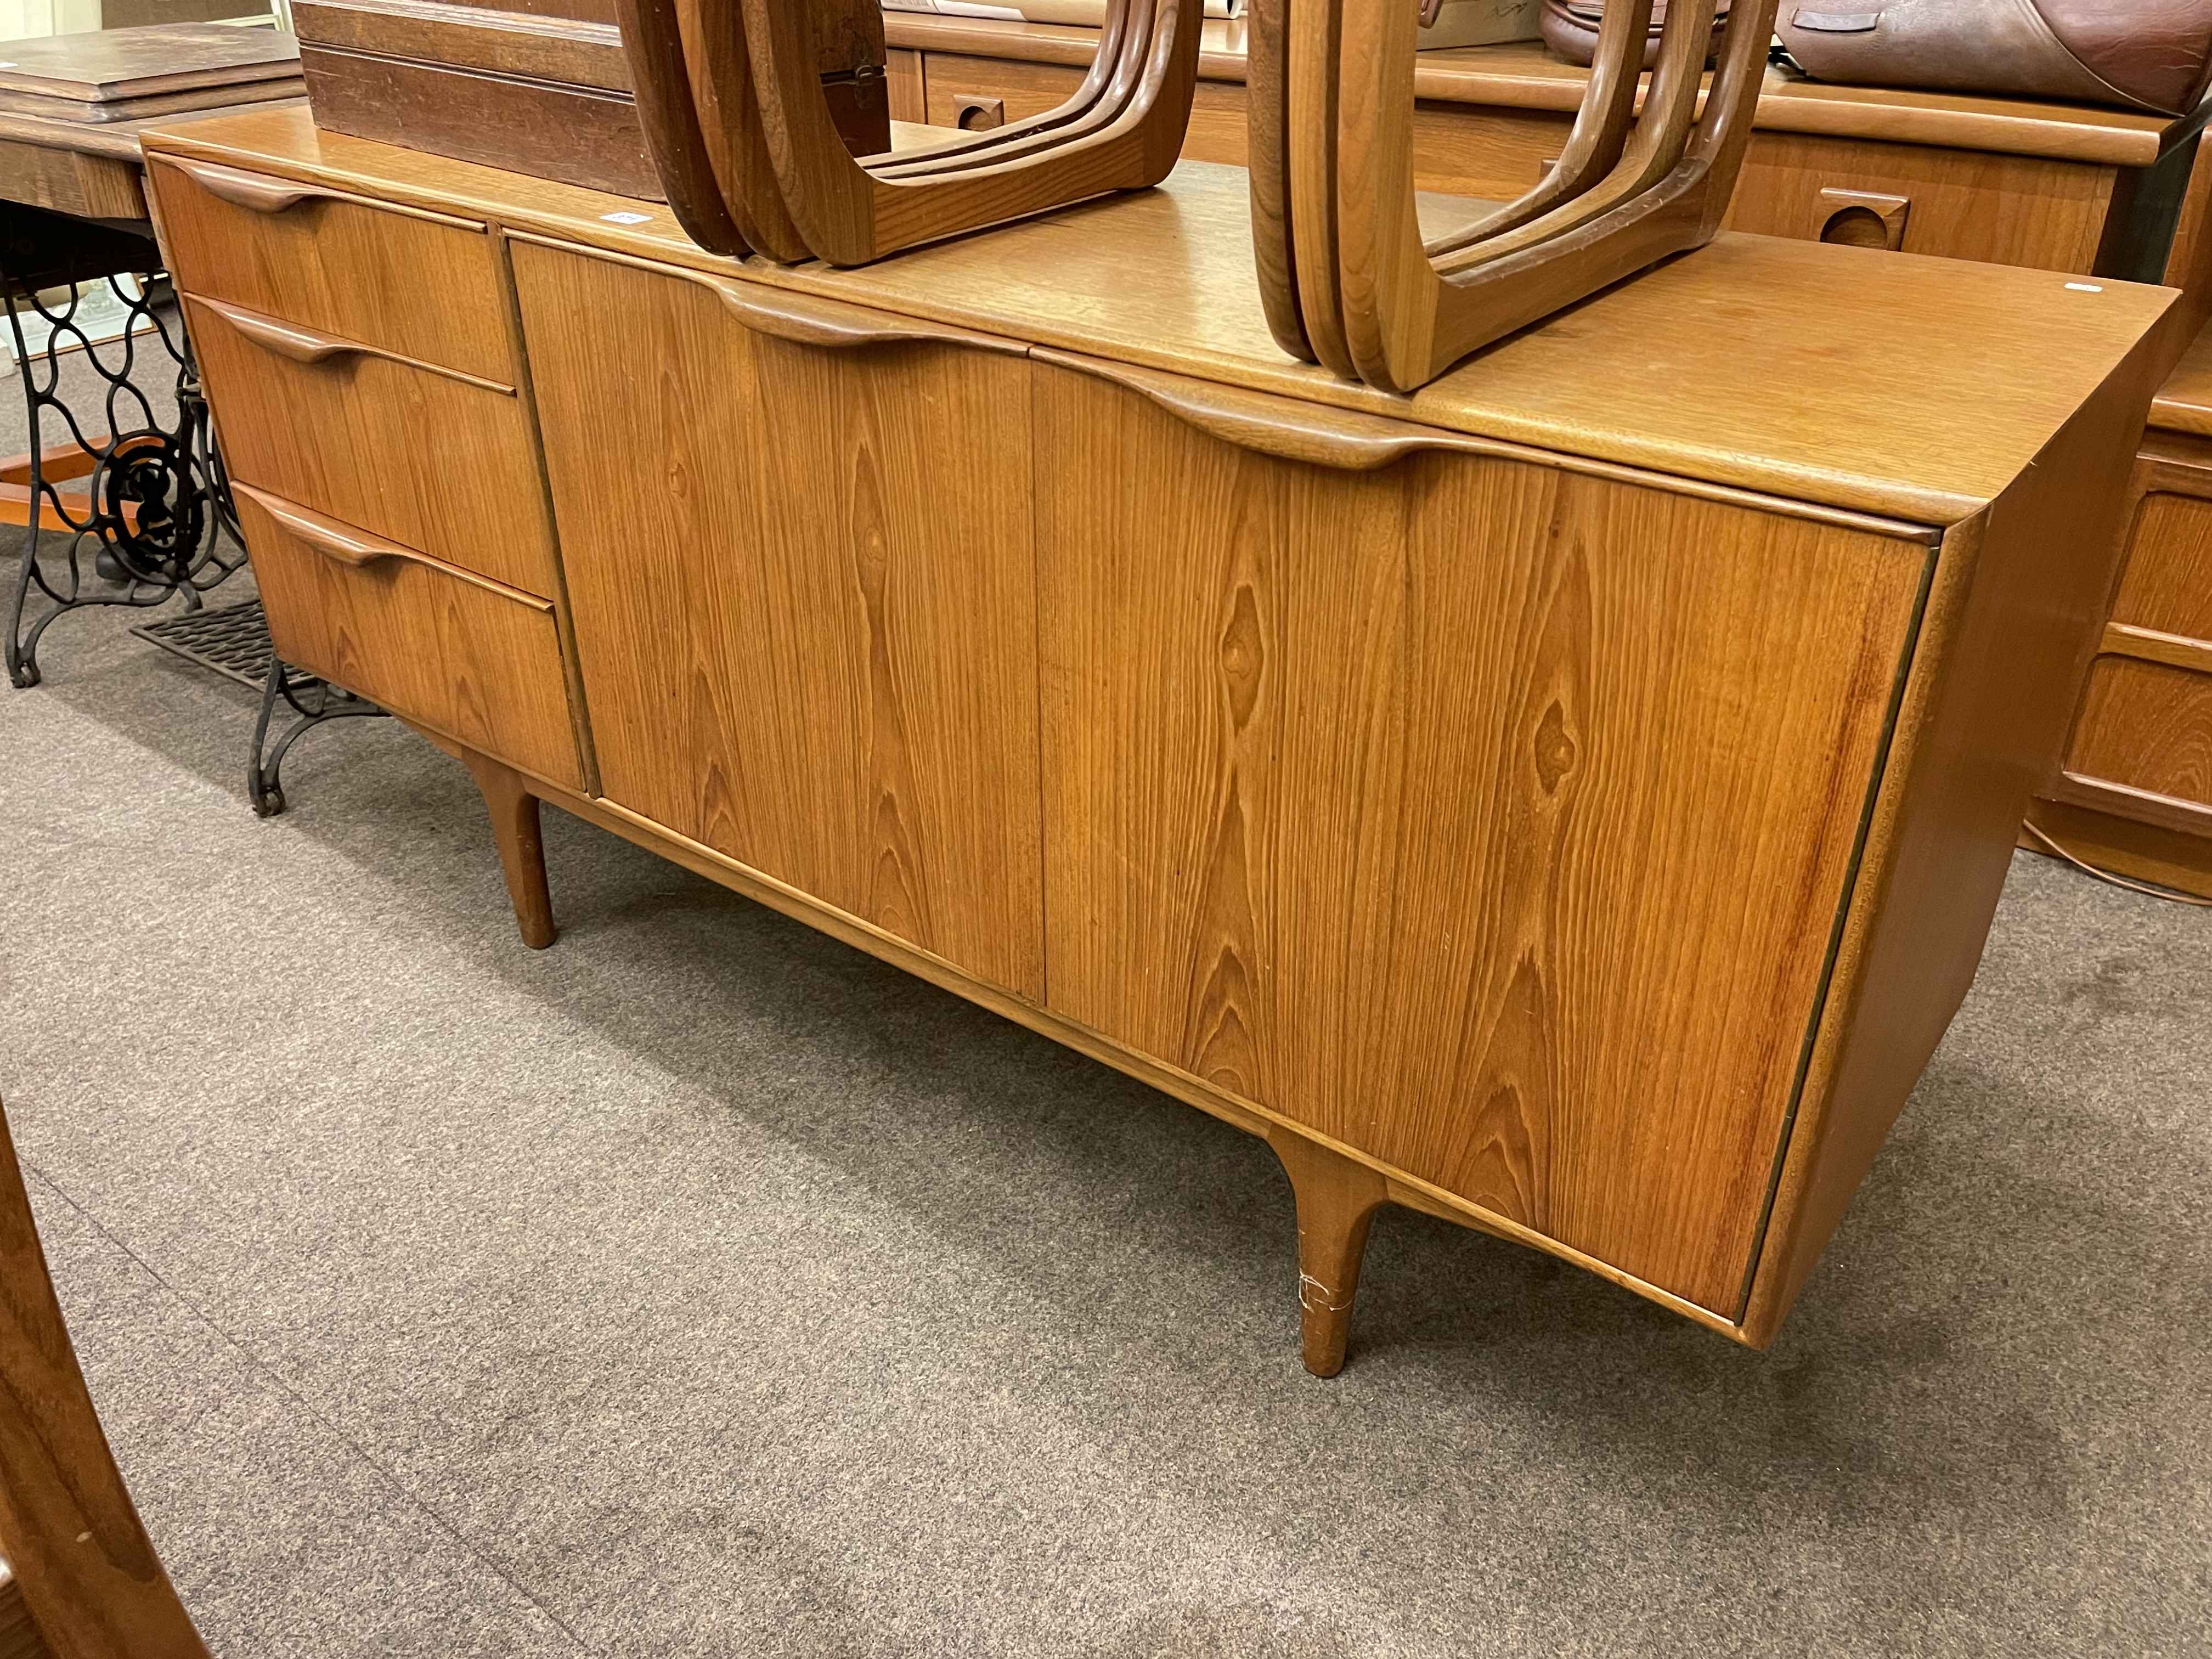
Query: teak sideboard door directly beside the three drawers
<point x="808" y="623"/>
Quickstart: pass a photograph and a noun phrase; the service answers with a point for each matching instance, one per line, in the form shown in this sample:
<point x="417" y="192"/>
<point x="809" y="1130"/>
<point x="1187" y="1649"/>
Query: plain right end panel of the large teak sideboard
<point x="2012" y="625"/>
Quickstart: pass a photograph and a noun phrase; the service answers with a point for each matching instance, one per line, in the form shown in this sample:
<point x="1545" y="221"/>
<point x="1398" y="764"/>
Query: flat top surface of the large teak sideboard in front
<point x="1855" y="379"/>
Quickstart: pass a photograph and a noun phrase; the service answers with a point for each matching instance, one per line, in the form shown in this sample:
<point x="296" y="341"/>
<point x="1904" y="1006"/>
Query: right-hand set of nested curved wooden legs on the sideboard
<point x="1346" y="273"/>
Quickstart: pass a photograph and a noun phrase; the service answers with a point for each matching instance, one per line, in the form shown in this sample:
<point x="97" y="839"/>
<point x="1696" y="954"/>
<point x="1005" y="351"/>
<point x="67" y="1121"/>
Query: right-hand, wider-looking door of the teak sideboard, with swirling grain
<point x="1357" y="786"/>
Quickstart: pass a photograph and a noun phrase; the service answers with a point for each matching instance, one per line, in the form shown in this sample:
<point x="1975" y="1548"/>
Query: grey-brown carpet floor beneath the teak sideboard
<point x="707" y="1288"/>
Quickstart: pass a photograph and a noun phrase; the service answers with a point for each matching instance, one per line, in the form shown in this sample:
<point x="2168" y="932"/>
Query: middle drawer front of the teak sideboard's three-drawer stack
<point x="415" y="455"/>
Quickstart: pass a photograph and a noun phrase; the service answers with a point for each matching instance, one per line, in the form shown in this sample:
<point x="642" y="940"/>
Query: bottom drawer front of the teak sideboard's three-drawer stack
<point x="448" y="649"/>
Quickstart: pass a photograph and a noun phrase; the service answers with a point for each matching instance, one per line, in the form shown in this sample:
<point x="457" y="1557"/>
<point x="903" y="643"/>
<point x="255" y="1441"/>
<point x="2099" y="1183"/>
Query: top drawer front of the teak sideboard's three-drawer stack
<point x="406" y="282"/>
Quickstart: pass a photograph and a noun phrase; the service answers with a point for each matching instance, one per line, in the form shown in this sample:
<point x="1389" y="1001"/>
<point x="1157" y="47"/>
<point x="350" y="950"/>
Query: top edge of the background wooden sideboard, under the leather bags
<point x="1523" y="74"/>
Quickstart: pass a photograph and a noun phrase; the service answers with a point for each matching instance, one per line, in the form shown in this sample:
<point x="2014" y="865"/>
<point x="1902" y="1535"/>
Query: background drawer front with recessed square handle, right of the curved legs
<point x="1957" y="205"/>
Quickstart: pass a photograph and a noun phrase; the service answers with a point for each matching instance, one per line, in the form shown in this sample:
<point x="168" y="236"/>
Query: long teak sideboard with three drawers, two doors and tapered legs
<point x="1569" y="800"/>
